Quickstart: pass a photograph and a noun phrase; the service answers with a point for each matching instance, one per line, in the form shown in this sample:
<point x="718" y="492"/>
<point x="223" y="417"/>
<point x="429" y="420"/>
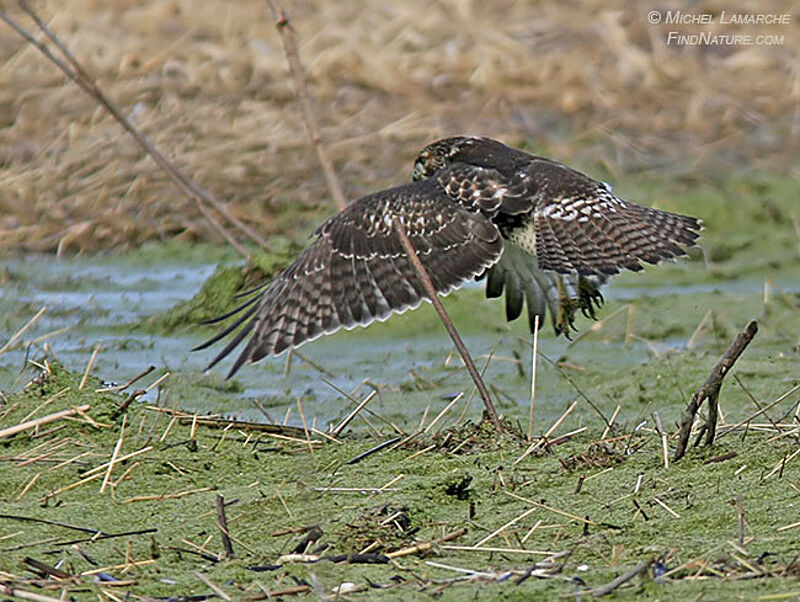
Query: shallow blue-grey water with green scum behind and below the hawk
<point x="409" y="358"/>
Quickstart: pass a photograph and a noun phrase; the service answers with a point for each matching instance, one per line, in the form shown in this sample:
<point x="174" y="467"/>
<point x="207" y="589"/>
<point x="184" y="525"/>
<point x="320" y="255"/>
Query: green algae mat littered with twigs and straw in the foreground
<point x="105" y="501"/>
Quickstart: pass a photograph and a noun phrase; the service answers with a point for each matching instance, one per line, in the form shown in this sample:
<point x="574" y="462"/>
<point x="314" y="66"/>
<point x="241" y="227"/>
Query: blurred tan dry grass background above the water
<point x="591" y="83"/>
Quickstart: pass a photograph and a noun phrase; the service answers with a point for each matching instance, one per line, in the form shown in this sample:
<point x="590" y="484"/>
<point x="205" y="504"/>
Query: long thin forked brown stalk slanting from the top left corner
<point x="188" y="187"/>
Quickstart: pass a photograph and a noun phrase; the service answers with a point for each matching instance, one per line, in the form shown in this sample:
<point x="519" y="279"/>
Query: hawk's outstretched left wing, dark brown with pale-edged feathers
<point x="356" y="271"/>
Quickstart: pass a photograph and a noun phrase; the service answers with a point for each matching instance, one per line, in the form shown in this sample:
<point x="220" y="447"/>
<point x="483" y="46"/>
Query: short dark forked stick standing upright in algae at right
<point x="710" y="390"/>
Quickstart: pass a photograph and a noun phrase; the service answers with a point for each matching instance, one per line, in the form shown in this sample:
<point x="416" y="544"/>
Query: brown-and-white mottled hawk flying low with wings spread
<point x="546" y="234"/>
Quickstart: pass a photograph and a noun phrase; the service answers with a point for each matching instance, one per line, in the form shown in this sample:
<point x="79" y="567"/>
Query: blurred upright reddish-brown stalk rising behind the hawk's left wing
<point x="286" y="32"/>
